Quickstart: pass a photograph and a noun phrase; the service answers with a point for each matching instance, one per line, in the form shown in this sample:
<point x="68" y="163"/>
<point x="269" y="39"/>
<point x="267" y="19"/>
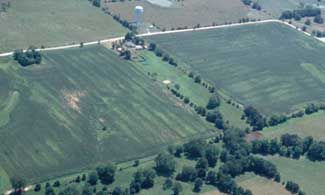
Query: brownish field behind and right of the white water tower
<point x="185" y="13"/>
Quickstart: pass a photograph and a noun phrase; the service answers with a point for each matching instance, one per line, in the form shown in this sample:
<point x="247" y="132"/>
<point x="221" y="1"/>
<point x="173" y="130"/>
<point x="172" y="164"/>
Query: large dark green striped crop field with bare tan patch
<point x="81" y="107"/>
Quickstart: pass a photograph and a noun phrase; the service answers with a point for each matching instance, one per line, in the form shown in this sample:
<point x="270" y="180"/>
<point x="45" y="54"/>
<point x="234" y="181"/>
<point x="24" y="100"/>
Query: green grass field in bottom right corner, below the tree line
<point x="309" y="175"/>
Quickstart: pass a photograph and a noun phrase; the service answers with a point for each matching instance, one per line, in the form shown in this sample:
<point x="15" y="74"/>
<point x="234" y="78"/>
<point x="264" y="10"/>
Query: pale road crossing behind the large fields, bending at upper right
<point x="169" y="32"/>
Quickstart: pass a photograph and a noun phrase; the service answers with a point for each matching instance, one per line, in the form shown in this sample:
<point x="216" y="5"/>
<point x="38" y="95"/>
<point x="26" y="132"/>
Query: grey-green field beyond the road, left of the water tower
<point x="54" y="23"/>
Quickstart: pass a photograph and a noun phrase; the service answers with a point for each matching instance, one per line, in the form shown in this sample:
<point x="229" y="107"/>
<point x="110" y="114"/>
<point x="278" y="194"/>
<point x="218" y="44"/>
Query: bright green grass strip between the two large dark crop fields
<point x="160" y="71"/>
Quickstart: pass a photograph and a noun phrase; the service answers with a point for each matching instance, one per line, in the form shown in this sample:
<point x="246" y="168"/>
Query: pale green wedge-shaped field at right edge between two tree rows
<point x="309" y="125"/>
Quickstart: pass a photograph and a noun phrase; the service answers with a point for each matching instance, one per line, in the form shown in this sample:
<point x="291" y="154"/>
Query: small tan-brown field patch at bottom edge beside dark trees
<point x="260" y="185"/>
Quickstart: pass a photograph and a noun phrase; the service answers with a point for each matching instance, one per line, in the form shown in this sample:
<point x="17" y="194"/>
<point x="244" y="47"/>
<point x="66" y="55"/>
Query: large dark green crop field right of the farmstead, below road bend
<point x="254" y="64"/>
